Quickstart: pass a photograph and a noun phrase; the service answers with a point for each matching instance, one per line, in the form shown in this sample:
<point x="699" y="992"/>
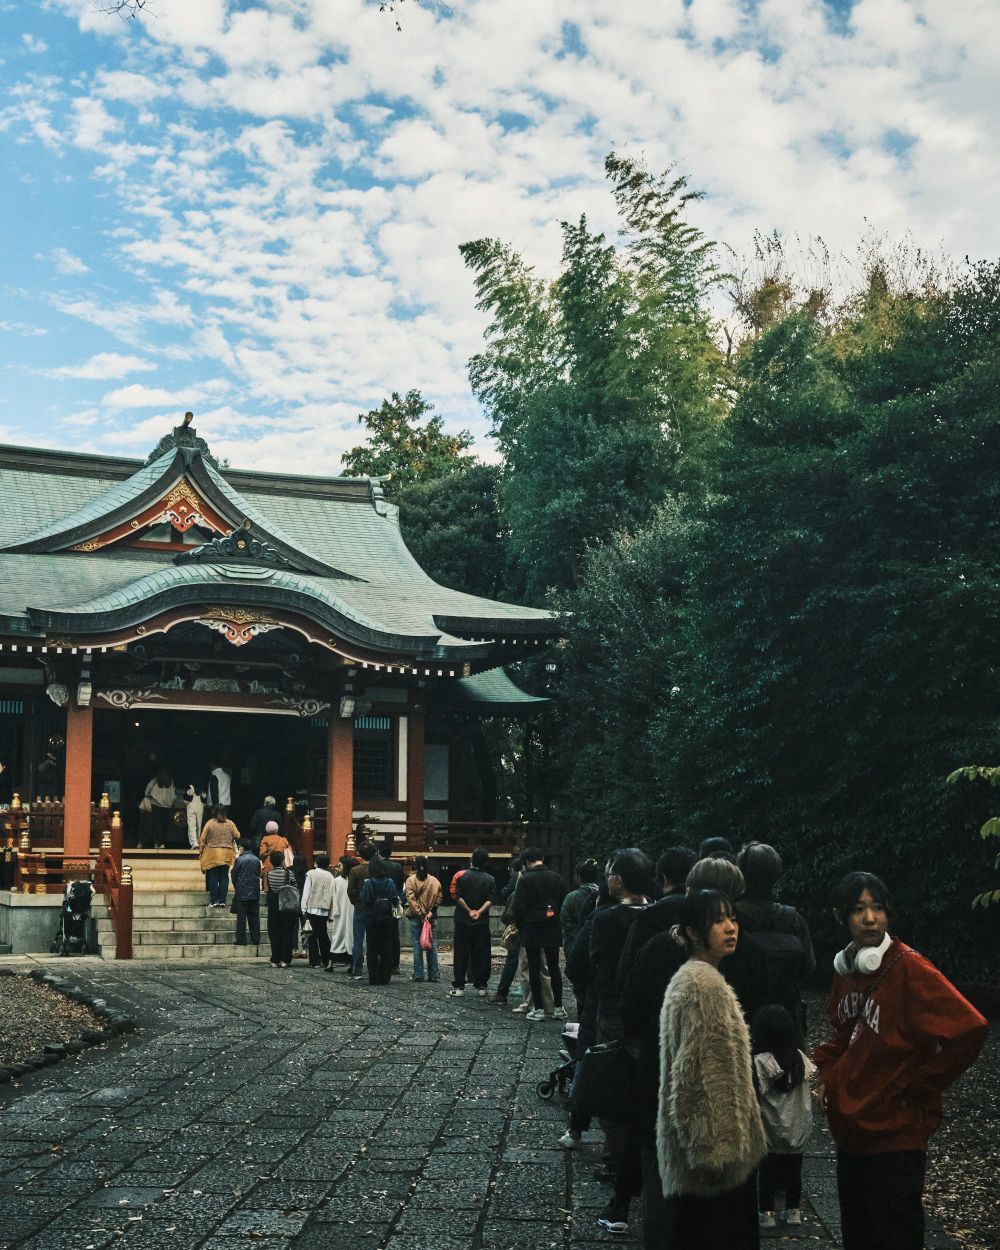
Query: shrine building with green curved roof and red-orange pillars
<point x="182" y="616"/>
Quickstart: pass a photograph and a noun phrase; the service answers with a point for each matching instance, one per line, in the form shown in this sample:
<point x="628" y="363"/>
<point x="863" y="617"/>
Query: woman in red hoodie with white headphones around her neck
<point x="902" y="1034"/>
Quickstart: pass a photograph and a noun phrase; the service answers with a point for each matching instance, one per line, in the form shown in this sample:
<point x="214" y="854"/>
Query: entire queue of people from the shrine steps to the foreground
<point x="697" y="969"/>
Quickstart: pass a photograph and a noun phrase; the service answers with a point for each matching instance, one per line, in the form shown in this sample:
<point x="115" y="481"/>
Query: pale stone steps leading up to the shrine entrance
<point x="172" y="918"/>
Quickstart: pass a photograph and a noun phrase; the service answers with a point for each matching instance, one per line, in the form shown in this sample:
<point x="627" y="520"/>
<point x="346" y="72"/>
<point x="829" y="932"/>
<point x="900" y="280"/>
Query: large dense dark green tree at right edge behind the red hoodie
<point x="837" y="642"/>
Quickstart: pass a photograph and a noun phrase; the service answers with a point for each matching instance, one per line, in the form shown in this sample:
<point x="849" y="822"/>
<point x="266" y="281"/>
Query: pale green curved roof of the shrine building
<point x="358" y="578"/>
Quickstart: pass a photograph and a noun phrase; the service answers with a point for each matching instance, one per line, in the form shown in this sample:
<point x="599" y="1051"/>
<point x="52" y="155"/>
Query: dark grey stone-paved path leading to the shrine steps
<point x="269" y="1109"/>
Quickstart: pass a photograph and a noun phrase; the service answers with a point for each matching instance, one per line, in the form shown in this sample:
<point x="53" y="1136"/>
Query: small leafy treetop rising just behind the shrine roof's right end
<point x="403" y="449"/>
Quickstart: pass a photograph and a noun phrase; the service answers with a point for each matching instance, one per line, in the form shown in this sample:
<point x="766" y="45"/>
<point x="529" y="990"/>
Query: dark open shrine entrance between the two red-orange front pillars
<point x="264" y="753"/>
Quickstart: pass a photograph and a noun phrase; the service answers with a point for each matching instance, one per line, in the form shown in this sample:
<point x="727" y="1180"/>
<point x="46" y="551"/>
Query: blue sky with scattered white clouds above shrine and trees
<point x="253" y="211"/>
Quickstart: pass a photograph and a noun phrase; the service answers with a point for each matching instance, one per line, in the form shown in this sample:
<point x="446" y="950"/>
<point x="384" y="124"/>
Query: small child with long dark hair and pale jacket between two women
<point x="783" y="1076"/>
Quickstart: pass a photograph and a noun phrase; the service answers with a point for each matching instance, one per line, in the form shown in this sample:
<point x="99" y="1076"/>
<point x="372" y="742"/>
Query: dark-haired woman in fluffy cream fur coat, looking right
<point x="709" y="1133"/>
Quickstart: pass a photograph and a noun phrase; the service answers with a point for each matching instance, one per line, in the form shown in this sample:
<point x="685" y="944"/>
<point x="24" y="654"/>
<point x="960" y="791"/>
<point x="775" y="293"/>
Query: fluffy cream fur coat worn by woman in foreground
<point x="709" y="1132"/>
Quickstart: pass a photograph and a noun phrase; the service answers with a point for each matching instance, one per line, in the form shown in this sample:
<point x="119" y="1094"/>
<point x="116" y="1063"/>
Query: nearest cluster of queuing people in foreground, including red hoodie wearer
<point x="704" y="989"/>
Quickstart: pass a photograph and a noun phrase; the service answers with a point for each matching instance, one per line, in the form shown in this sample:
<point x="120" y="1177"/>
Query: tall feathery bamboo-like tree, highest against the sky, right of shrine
<point x="603" y="384"/>
